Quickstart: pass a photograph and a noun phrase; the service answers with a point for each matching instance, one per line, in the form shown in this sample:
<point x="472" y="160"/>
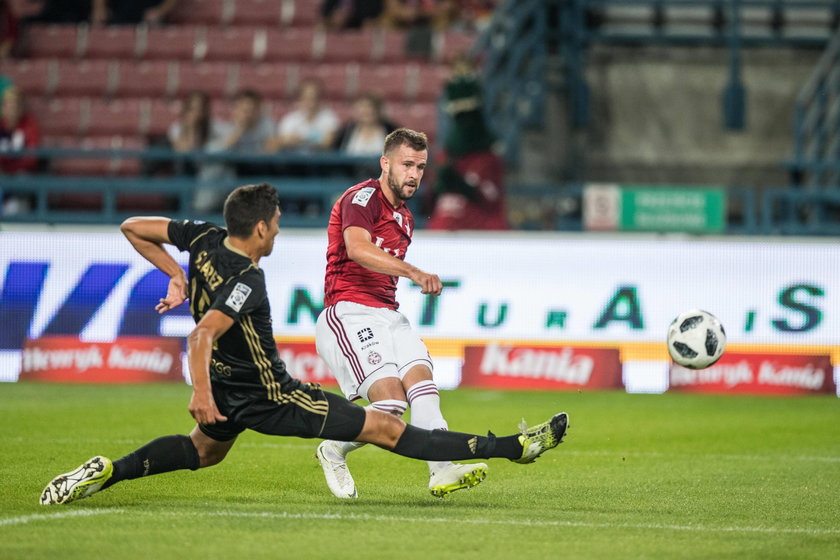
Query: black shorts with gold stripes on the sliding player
<point x="300" y="409"/>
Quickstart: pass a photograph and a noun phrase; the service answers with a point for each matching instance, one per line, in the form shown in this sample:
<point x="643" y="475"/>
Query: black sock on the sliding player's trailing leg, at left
<point x="165" y="454"/>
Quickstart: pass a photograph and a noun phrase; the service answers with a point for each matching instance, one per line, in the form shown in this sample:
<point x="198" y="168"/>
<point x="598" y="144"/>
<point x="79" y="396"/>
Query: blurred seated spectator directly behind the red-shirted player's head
<point x="364" y="133"/>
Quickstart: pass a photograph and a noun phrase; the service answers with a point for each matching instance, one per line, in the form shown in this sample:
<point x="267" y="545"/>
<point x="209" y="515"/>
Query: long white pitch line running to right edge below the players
<point x="520" y="522"/>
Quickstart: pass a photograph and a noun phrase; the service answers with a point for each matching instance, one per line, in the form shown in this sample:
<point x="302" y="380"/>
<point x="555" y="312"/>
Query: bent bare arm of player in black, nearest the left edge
<point x="147" y="235"/>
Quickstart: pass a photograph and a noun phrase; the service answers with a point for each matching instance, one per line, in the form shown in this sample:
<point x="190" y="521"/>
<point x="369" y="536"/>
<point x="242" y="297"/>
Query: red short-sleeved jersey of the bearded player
<point x="364" y="205"/>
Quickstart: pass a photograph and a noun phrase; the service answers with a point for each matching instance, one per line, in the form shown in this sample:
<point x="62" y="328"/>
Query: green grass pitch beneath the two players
<point x="639" y="476"/>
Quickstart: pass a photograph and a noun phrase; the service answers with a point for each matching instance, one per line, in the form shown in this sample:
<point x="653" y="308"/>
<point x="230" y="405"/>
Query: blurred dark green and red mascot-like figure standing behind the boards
<point x="470" y="178"/>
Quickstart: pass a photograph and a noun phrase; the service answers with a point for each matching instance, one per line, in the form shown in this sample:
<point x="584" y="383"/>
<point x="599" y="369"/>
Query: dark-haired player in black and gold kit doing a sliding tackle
<point x="238" y="379"/>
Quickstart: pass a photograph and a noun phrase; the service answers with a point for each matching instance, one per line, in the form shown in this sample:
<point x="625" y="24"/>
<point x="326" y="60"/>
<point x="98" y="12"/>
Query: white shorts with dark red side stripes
<point x="362" y="344"/>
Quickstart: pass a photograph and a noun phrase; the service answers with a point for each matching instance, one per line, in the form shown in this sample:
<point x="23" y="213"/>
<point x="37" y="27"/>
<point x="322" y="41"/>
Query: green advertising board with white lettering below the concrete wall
<point x="672" y="209"/>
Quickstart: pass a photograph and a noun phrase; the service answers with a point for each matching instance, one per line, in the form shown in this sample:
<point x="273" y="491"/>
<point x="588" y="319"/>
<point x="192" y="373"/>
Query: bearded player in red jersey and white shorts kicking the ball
<point x="367" y="343"/>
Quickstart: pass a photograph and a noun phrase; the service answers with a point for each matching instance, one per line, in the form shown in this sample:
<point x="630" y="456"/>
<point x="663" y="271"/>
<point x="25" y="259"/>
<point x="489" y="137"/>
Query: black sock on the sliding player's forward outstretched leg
<point x="441" y="445"/>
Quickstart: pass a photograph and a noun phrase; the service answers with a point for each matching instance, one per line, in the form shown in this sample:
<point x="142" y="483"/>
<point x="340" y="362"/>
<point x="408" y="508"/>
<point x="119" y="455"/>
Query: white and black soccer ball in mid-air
<point x="696" y="339"/>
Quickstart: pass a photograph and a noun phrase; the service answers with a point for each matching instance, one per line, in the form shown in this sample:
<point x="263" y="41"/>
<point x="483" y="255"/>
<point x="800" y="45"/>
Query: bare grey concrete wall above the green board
<point x="657" y="115"/>
